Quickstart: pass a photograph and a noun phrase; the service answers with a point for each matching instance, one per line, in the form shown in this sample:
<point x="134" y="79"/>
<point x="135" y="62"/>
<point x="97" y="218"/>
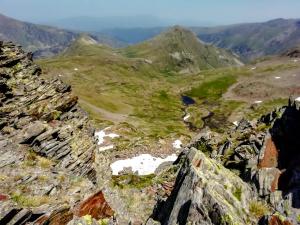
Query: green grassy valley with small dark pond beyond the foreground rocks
<point x="145" y="103"/>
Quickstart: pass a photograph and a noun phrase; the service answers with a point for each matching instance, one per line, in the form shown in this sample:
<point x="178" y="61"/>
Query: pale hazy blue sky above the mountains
<point x="189" y="11"/>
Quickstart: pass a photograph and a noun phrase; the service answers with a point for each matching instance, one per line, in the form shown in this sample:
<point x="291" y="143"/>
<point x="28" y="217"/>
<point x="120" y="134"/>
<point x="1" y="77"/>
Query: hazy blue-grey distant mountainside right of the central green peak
<point x="254" y="39"/>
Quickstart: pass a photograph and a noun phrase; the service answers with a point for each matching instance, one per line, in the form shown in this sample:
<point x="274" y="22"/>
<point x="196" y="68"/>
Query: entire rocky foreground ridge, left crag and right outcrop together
<point x="52" y="172"/>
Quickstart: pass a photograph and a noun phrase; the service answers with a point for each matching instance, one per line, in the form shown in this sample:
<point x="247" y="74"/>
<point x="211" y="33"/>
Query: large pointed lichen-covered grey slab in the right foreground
<point x="206" y="193"/>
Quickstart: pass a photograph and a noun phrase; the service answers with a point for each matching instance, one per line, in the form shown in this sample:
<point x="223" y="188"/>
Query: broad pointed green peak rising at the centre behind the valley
<point x="179" y="50"/>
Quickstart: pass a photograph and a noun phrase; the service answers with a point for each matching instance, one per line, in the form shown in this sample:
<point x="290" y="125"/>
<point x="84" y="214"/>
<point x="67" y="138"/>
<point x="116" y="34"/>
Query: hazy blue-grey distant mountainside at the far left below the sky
<point x="41" y="40"/>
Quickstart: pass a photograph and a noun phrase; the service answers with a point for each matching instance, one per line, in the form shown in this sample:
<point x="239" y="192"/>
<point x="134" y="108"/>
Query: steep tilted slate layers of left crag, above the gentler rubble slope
<point x="43" y="115"/>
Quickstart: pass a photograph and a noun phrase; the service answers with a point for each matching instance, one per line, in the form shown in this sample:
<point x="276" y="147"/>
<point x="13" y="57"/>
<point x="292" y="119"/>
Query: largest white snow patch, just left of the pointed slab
<point x="144" y="164"/>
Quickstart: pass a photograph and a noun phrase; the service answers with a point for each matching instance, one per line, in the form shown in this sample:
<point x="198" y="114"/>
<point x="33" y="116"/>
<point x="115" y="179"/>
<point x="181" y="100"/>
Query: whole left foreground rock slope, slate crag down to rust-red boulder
<point x="47" y="148"/>
